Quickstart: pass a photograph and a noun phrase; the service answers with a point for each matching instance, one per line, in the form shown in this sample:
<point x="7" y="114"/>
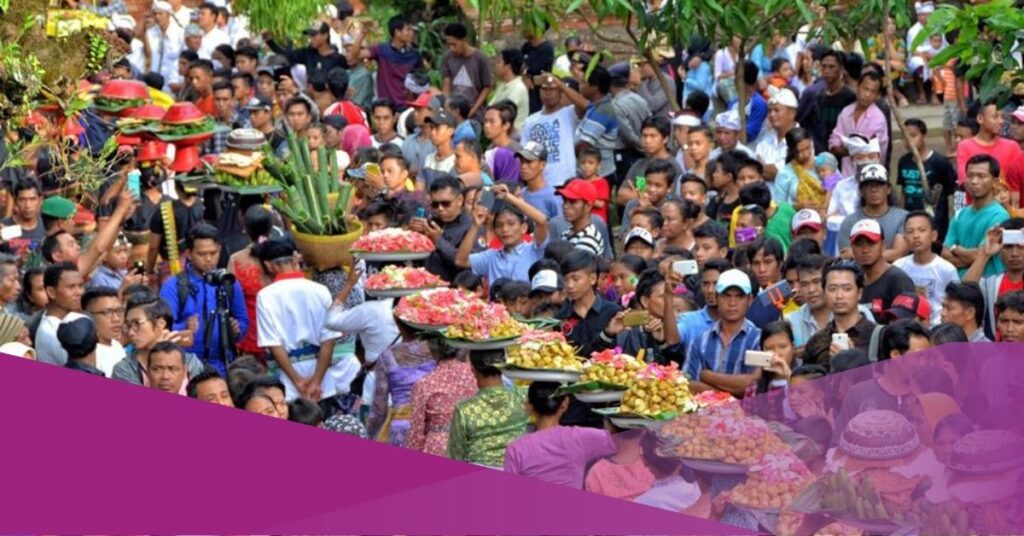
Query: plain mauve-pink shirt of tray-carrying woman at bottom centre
<point x="559" y="456"/>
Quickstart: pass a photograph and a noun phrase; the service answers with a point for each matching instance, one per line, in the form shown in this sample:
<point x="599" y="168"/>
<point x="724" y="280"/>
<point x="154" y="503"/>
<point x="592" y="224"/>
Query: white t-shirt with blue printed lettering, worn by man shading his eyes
<point x="557" y="133"/>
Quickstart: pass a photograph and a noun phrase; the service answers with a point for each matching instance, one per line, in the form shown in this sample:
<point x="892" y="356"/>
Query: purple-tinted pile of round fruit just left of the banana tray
<point x="774" y="482"/>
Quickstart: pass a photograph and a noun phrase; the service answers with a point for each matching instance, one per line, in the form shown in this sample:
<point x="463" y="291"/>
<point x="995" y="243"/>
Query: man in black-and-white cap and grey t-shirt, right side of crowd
<point x="875" y="190"/>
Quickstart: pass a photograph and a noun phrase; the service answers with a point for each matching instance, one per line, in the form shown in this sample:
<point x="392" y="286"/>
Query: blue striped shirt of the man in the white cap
<point x="707" y="353"/>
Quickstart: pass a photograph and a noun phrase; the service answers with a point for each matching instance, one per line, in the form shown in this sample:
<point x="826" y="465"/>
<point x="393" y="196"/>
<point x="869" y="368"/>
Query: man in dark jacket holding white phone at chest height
<point x="843" y="283"/>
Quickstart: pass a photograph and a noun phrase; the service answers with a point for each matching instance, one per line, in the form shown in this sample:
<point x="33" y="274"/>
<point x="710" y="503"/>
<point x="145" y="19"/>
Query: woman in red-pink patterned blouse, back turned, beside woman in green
<point x="435" y="398"/>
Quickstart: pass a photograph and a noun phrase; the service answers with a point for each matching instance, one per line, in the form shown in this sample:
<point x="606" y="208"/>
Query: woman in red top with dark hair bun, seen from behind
<point x="250" y="274"/>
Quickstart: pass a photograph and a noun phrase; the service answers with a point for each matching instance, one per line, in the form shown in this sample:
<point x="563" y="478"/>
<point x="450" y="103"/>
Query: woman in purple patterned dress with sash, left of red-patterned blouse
<point x="398" y="370"/>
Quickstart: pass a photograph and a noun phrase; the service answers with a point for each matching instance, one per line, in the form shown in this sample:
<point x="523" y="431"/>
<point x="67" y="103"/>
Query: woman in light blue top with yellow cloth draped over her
<point x="798" y="183"/>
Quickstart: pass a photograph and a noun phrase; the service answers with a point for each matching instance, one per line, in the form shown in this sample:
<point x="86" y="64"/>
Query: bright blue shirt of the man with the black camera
<point x="202" y="303"/>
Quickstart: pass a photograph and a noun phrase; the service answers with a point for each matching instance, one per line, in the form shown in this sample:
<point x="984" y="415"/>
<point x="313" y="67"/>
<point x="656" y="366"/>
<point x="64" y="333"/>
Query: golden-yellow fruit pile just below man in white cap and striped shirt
<point x="658" y="390"/>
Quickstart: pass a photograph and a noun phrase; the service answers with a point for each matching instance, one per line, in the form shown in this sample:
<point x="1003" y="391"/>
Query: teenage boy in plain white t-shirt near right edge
<point x="930" y="273"/>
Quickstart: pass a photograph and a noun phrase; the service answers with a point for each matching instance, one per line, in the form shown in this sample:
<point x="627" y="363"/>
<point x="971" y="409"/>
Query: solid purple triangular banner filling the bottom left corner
<point x="88" y="456"/>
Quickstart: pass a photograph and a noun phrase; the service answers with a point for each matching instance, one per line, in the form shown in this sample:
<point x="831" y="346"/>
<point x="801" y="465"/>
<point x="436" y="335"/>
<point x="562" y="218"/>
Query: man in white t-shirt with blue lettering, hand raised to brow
<point x="553" y="128"/>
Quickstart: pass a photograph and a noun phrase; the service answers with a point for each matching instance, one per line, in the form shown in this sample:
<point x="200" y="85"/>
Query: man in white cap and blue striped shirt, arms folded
<point x="715" y="359"/>
